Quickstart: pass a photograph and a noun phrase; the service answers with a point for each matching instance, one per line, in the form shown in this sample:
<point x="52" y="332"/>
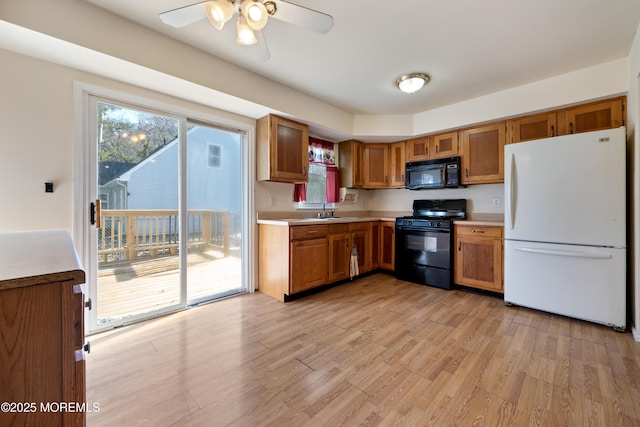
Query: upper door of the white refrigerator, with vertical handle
<point x="567" y="189"/>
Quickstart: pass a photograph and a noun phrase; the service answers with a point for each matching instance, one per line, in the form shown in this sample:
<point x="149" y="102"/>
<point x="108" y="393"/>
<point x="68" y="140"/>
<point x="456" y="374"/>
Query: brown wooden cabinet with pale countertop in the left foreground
<point x="42" y="368"/>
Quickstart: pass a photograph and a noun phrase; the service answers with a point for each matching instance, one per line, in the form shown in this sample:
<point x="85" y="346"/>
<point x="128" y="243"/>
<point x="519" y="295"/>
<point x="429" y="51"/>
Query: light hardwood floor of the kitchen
<point x="375" y="351"/>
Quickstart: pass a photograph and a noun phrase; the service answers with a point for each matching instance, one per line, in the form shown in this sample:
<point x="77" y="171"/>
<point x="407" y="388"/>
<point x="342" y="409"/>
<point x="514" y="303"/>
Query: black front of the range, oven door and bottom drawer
<point x="424" y="256"/>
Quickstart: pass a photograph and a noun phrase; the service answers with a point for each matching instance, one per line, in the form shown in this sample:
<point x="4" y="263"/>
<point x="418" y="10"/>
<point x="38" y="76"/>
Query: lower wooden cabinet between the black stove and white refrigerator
<point x="478" y="257"/>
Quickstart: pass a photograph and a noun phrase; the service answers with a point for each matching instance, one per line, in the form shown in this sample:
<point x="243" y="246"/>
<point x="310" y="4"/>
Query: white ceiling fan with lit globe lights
<point x="252" y="16"/>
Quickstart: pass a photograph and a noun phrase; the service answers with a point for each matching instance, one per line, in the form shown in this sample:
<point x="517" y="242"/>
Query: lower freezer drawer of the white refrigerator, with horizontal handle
<point x="582" y="282"/>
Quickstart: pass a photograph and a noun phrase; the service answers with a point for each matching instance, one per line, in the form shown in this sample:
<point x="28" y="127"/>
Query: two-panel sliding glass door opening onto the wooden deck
<point x="168" y="219"/>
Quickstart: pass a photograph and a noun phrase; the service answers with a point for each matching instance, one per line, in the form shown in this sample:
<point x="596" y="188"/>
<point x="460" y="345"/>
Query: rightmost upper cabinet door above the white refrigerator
<point x="596" y="116"/>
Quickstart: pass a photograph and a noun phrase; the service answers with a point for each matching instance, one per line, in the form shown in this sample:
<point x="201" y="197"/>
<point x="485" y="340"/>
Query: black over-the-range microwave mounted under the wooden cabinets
<point x="436" y="173"/>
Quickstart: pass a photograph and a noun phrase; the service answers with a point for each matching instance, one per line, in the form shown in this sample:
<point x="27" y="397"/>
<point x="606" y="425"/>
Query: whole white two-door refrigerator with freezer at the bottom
<point x="565" y="226"/>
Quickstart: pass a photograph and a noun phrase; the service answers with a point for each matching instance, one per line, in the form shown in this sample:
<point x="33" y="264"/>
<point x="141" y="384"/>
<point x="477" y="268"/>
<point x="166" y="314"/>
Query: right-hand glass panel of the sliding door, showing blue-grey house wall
<point x="214" y="204"/>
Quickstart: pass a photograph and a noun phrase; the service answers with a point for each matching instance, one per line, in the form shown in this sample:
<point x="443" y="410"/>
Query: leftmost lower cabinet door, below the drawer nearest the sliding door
<point x="308" y="264"/>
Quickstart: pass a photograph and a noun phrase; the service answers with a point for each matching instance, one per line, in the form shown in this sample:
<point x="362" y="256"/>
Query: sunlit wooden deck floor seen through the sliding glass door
<point x="127" y="289"/>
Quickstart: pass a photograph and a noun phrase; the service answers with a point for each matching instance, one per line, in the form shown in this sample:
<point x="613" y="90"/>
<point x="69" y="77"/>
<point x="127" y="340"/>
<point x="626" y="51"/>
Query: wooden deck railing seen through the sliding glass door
<point x="126" y="235"/>
